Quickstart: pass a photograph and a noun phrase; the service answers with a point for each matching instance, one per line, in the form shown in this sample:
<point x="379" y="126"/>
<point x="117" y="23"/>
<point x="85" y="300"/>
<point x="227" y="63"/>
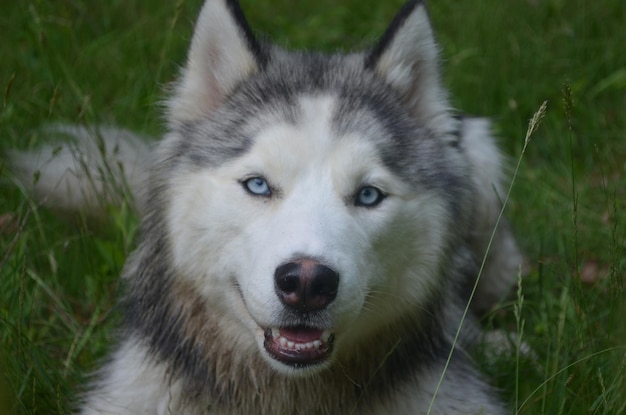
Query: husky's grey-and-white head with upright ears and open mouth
<point x="312" y="198"/>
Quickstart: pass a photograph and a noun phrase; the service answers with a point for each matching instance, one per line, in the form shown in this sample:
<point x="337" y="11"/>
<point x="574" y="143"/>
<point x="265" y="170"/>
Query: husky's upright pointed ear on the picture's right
<point x="407" y="58"/>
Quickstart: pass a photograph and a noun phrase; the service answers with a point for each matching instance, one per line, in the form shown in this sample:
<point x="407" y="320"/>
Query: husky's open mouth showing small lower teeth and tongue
<point x="299" y="346"/>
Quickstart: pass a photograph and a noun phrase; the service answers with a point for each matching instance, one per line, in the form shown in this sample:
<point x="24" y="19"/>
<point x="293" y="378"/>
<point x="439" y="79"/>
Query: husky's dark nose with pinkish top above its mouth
<point x="306" y="285"/>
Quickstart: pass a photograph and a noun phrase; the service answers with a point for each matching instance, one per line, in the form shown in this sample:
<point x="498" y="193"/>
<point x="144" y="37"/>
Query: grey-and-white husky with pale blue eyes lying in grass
<point x="313" y="226"/>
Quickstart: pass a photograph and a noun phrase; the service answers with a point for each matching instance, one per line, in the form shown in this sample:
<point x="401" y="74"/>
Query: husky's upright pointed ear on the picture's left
<point x="223" y="52"/>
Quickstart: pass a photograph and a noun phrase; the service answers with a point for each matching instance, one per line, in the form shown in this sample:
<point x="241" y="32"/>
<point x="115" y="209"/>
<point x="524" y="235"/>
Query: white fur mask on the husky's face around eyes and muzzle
<point x="224" y="237"/>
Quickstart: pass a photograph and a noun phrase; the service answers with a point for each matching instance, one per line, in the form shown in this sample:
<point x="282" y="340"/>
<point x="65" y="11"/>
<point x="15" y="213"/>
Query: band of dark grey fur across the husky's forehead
<point x="363" y="105"/>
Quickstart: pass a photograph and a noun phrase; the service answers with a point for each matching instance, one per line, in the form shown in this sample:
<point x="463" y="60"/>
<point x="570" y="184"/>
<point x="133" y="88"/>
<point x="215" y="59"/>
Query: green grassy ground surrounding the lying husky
<point x="87" y="62"/>
